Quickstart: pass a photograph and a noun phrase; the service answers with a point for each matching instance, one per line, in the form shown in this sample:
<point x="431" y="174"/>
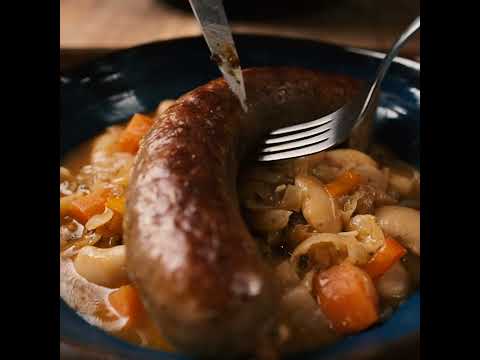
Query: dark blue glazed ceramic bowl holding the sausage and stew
<point x="111" y="89"/>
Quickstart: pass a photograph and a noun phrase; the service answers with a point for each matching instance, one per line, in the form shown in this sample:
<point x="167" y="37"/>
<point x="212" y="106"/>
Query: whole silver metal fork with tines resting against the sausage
<point x="335" y="128"/>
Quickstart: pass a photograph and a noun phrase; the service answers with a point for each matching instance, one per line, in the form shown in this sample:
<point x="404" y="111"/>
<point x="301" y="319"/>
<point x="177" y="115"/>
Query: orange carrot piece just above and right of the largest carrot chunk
<point x="384" y="258"/>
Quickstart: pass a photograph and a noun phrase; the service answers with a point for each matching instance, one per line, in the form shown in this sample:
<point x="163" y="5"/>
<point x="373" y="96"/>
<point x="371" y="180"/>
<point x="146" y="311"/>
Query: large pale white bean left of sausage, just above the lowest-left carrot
<point x="104" y="267"/>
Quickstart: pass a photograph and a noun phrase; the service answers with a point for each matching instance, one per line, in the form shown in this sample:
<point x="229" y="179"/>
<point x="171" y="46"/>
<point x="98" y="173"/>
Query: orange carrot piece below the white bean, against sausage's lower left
<point x="126" y="301"/>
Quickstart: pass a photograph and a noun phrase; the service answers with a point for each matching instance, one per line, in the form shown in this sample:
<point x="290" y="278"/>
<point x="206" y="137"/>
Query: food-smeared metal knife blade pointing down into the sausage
<point x="217" y="33"/>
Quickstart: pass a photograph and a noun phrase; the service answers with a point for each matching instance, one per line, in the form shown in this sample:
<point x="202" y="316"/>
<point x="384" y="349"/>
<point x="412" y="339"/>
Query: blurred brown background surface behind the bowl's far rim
<point x="89" y="28"/>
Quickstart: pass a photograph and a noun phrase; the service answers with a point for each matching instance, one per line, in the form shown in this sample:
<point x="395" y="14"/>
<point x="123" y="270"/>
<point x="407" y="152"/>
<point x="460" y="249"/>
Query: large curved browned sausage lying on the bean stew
<point x="190" y="253"/>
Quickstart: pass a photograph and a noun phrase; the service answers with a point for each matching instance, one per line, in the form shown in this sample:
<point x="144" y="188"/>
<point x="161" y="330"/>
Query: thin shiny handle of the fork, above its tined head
<point x="387" y="61"/>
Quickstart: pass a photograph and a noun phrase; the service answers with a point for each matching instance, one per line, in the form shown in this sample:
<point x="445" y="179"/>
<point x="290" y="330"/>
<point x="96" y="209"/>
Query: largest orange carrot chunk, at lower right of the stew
<point x="347" y="297"/>
